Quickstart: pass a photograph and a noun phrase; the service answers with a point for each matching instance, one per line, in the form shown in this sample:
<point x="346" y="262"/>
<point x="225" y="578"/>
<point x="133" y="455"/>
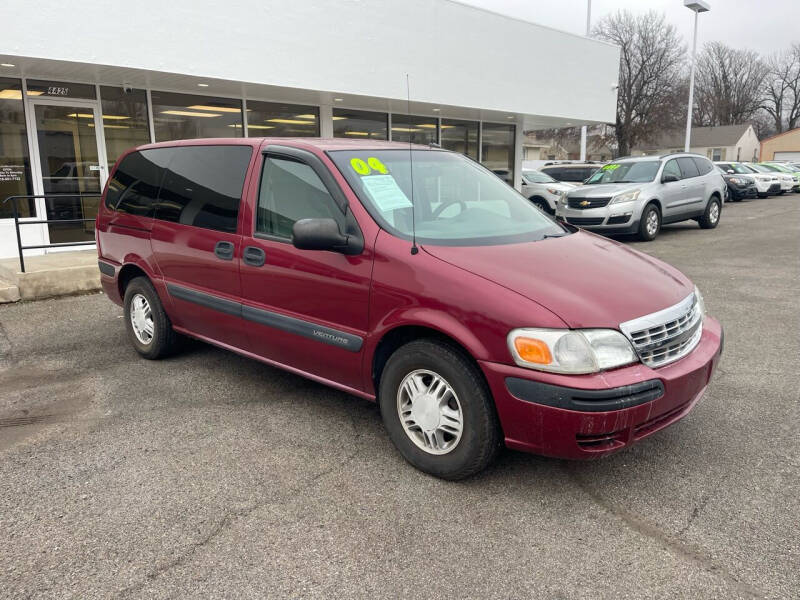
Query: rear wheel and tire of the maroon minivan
<point x="149" y="328"/>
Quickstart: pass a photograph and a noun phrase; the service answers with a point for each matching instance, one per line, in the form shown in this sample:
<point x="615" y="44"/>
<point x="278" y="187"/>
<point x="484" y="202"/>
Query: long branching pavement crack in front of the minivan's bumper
<point x="671" y="543"/>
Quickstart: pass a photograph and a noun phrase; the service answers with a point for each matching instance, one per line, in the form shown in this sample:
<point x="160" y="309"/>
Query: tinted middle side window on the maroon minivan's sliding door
<point x="203" y="186"/>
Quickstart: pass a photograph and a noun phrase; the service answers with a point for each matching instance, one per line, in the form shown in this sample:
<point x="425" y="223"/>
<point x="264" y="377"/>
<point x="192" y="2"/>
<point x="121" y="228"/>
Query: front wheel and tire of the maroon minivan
<point x="438" y="411"/>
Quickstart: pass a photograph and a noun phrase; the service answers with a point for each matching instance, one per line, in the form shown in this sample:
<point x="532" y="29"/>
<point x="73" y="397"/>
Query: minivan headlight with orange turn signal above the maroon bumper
<point x="570" y="351"/>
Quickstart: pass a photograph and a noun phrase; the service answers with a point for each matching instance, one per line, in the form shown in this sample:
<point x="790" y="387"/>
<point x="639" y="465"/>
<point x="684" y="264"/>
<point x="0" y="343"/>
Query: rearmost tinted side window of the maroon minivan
<point x="134" y="187"/>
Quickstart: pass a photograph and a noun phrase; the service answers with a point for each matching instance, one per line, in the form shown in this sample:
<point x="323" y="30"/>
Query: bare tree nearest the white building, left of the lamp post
<point x="652" y="55"/>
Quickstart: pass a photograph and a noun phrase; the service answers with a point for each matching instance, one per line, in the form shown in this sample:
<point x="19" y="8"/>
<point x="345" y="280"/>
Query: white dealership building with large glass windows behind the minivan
<point x="80" y="86"/>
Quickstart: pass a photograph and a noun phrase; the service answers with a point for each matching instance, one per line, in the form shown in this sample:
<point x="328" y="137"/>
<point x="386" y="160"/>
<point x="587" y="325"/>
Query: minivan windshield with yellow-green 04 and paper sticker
<point x="455" y="200"/>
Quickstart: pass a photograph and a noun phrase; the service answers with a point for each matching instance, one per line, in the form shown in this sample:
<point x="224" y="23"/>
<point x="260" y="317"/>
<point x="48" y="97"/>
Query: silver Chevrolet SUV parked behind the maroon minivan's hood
<point x="638" y="195"/>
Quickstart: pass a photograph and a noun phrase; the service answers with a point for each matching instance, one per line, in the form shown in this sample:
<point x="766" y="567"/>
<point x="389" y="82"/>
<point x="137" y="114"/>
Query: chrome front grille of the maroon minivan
<point x="666" y="336"/>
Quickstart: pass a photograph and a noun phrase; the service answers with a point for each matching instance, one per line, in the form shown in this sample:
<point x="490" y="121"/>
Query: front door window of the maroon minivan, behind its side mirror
<point x="291" y="190"/>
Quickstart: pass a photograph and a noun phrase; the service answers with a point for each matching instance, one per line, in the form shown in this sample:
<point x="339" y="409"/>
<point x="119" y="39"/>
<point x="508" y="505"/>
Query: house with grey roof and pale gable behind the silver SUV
<point x="725" y="142"/>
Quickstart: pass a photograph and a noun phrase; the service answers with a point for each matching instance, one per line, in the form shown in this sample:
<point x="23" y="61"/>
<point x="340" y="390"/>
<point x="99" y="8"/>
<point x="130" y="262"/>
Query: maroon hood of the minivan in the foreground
<point x="585" y="279"/>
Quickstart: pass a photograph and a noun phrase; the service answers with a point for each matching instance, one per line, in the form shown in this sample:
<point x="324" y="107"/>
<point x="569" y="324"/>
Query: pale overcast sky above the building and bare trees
<point x="762" y="25"/>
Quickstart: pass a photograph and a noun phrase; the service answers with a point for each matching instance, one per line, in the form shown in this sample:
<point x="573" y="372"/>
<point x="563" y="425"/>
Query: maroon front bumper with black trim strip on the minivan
<point x="588" y="416"/>
